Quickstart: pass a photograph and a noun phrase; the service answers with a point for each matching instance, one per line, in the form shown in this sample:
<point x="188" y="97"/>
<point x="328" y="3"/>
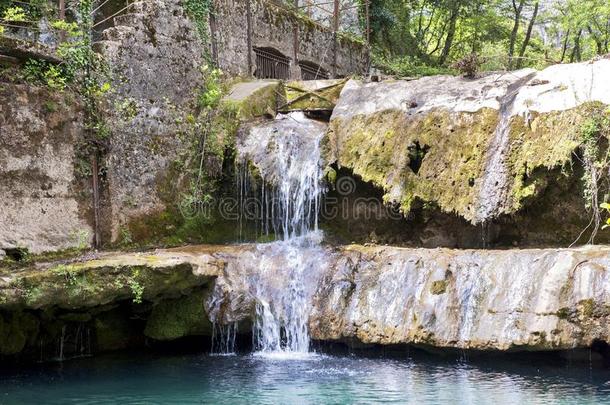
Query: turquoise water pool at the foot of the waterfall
<point x="315" y="379"/>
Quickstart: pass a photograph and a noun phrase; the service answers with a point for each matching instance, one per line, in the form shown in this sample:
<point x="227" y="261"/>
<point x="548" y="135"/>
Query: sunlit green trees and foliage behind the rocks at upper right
<point x="437" y="33"/>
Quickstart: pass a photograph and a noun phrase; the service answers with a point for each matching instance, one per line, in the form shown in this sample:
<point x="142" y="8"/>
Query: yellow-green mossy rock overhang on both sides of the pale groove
<point x="450" y="169"/>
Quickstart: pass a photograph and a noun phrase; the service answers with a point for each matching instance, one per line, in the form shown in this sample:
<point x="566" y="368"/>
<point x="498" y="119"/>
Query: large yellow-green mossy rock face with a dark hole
<point x="376" y="147"/>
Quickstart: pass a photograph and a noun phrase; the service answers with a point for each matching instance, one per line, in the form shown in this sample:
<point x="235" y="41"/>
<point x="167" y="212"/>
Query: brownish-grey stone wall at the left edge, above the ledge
<point x="41" y="198"/>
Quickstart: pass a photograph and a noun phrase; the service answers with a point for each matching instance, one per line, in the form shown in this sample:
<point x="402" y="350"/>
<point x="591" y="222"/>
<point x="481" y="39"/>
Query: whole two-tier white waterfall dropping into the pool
<point x="281" y="276"/>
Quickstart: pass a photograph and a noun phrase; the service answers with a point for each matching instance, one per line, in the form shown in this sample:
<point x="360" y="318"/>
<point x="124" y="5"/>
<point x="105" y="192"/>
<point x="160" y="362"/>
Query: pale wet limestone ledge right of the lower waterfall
<point x="538" y="299"/>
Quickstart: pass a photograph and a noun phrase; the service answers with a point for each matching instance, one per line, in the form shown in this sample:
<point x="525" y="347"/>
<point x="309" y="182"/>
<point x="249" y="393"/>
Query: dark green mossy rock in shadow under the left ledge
<point x="173" y="319"/>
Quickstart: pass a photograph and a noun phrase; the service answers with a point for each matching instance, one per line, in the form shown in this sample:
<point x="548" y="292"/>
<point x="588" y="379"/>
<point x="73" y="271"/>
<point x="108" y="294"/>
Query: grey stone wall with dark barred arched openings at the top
<point x="273" y="26"/>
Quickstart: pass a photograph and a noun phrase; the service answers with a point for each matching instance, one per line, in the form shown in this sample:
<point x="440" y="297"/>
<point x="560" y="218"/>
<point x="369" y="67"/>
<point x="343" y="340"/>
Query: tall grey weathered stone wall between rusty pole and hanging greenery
<point x="155" y="56"/>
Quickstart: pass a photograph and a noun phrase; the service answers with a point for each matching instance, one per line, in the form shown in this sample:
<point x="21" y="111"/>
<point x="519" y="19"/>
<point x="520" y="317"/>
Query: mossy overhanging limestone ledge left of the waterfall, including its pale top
<point x="108" y="278"/>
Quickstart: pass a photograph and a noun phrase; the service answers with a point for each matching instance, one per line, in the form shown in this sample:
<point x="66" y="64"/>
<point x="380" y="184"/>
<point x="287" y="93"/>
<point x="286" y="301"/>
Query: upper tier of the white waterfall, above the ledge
<point x="286" y="155"/>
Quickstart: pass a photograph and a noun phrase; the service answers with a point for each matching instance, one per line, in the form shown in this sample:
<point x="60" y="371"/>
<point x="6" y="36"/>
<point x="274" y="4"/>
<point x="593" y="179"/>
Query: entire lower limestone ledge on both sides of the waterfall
<point x="491" y="300"/>
